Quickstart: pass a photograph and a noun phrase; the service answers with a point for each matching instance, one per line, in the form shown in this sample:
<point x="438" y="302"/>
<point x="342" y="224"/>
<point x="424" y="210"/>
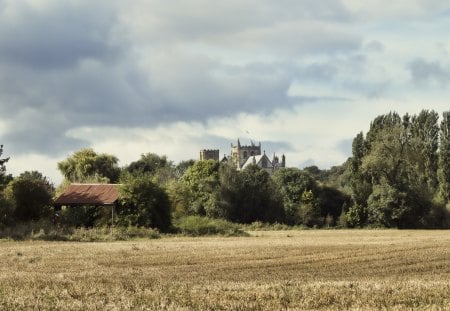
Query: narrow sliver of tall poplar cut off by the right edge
<point x="444" y="157"/>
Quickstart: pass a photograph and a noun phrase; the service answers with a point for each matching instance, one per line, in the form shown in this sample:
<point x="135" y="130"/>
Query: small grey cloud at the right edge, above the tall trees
<point x="423" y="71"/>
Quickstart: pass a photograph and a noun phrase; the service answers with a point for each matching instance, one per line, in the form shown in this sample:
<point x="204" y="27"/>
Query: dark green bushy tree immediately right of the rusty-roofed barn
<point x="143" y="203"/>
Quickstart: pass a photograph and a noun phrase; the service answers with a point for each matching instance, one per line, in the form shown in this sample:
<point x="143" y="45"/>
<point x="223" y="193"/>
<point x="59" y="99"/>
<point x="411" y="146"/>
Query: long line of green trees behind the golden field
<point x="398" y="176"/>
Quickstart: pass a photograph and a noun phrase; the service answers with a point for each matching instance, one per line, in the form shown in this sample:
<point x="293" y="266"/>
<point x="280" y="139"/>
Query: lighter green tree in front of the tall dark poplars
<point x="398" y="193"/>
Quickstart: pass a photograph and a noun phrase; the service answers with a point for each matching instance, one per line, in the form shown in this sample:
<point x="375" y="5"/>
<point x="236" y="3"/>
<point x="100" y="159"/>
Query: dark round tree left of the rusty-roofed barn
<point x="31" y="194"/>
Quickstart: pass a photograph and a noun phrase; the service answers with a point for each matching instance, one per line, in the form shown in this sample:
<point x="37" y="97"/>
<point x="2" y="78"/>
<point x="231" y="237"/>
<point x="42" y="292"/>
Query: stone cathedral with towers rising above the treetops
<point x="245" y="155"/>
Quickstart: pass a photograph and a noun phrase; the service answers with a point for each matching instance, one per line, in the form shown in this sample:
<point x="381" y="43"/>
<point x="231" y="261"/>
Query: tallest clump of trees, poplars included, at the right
<point x="394" y="172"/>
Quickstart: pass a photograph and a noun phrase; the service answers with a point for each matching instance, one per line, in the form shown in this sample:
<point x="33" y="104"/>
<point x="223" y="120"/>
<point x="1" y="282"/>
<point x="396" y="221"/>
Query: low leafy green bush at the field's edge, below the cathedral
<point x="198" y="226"/>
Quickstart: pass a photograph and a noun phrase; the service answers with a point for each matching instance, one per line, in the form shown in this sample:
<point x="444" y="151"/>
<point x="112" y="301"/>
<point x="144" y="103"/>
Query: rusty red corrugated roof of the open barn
<point x="89" y="194"/>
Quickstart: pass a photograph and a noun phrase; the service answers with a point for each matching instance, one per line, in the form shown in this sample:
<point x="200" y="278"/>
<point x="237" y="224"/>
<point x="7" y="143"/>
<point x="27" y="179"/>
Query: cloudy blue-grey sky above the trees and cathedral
<point x="302" y="77"/>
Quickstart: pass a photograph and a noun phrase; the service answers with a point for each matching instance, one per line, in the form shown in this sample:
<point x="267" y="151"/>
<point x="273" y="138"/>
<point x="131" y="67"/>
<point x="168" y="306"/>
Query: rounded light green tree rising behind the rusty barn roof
<point x="86" y="165"/>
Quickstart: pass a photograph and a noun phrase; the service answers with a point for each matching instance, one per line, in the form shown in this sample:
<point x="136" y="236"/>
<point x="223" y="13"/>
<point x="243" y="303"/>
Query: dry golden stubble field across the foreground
<point x="293" y="270"/>
